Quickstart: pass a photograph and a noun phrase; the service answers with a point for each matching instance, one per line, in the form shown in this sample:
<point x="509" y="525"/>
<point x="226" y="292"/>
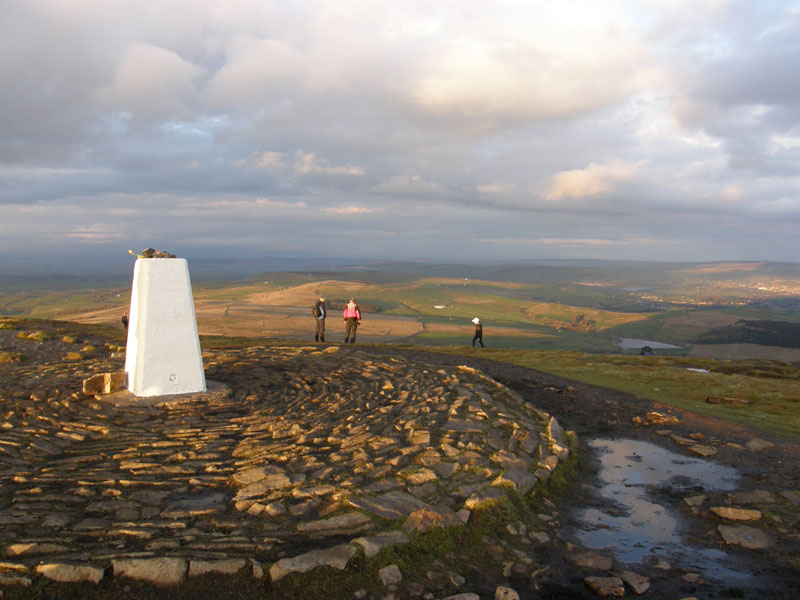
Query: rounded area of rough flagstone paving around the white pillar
<point x="297" y="457"/>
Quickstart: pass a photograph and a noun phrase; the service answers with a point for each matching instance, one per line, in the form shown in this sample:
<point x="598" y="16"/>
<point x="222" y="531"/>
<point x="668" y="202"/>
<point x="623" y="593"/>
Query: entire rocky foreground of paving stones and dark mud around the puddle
<point x="328" y="463"/>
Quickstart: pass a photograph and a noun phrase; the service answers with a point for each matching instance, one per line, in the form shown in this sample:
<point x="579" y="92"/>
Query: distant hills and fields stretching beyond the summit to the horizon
<point x="550" y="304"/>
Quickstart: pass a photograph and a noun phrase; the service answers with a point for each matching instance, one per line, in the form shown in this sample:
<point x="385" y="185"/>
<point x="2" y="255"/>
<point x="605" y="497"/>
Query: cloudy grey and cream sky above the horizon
<point x="461" y="129"/>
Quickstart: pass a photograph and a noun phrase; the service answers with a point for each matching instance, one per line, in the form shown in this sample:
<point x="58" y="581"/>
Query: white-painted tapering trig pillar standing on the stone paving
<point x="163" y="351"/>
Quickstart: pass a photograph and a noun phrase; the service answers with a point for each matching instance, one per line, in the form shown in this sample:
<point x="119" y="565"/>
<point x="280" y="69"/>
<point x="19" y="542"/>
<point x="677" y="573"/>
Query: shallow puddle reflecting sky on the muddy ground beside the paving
<point x="636" y="526"/>
